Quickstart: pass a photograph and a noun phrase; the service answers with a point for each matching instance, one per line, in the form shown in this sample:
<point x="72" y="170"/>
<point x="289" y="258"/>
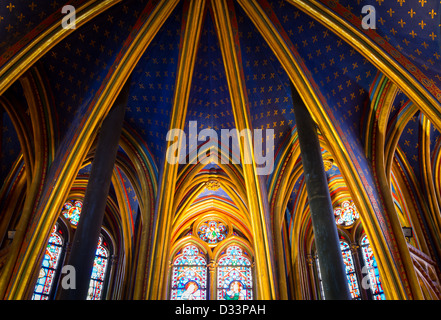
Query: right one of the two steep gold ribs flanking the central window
<point x="234" y="74"/>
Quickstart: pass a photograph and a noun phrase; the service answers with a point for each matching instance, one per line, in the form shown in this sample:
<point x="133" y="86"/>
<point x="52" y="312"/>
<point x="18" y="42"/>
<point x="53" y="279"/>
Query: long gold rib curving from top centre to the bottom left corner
<point x="83" y="143"/>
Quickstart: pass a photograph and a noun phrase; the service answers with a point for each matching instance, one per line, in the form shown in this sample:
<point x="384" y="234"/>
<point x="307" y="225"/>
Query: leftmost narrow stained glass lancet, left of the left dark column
<point x="49" y="266"/>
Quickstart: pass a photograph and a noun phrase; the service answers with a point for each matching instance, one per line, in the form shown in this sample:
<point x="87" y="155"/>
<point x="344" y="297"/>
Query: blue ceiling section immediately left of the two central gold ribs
<point x="153" y="80"/>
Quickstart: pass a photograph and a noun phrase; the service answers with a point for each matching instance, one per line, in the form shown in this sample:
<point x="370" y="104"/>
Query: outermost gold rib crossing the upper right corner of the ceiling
<point x="379" y="52"/>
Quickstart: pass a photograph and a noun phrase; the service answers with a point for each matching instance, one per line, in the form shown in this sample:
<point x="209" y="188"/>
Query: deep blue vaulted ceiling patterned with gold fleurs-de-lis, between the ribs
<point x="76" y="67"/>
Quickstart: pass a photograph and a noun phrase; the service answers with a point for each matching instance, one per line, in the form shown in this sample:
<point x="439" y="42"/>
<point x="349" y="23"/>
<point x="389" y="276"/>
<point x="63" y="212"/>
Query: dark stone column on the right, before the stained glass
<point x="332" y="269"/>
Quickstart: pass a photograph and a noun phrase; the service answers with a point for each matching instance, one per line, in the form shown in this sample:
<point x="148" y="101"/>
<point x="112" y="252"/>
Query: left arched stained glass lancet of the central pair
<point x="189" y="274"/>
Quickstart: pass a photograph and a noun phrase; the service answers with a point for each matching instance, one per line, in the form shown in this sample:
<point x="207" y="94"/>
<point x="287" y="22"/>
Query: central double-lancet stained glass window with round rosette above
<point x="229" y="273"/>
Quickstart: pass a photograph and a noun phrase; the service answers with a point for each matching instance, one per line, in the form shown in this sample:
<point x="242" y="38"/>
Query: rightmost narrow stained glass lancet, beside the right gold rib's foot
<point x="370" y="266"/>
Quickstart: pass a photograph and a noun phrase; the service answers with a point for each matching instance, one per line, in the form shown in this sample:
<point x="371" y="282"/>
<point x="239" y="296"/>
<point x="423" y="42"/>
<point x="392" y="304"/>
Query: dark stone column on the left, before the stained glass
<point x="89" y="226"/>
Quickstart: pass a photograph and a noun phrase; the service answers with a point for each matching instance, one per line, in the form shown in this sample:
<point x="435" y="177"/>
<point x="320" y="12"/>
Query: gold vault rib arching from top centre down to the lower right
<point x="301" y="78"/>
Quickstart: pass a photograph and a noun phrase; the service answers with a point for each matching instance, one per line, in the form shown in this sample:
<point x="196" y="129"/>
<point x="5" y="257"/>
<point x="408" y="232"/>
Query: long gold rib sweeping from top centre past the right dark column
<point x="312" y="100"/>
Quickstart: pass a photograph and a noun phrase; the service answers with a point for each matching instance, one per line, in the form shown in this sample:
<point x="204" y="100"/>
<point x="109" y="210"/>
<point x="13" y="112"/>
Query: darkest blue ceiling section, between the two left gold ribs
<point x="77" y="66"/>
